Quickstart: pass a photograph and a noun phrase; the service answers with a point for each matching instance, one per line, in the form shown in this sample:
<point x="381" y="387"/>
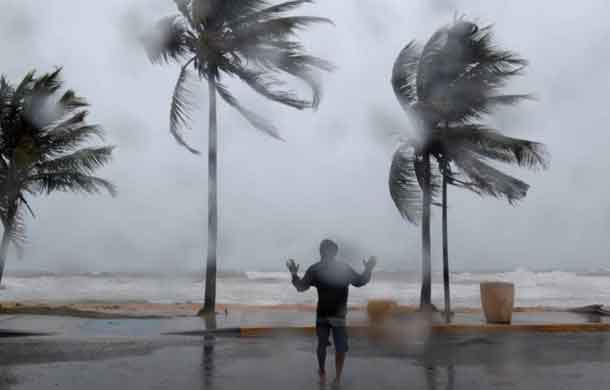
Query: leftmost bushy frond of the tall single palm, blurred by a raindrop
<point x="167" y="41"/>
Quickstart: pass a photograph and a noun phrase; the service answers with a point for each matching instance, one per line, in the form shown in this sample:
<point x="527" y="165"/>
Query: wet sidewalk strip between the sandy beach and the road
<point x="263" y="322"/>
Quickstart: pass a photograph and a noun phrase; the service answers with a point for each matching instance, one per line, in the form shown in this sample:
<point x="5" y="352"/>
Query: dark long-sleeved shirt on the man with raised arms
<point x="331" y="279"/>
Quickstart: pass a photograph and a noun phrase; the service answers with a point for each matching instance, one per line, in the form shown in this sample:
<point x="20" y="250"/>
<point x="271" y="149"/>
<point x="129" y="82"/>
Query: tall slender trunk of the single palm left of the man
<point x="209" y="305"/>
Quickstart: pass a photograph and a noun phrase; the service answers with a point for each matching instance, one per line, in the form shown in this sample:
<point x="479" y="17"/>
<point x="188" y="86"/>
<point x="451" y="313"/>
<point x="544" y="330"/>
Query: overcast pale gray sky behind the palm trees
<point x="277" y="200"/>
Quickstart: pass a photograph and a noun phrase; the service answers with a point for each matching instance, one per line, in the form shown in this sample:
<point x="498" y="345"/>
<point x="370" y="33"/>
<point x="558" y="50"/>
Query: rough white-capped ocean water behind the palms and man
<point x="552" y="288"/>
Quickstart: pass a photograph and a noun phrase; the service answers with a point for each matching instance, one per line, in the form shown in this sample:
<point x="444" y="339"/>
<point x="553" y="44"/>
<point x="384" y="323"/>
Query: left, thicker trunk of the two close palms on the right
<point x="426" y="293"/>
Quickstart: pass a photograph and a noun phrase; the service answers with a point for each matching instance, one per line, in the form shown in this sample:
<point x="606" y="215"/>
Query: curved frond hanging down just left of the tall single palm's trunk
<point x="181" y="106"/>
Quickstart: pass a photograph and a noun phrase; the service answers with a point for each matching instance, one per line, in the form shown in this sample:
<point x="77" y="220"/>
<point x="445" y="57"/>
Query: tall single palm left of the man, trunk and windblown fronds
<point x="247" y="39"/>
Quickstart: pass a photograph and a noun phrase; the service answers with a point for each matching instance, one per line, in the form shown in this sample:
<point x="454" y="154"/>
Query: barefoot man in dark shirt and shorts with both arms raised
<point x="332" y="279"/>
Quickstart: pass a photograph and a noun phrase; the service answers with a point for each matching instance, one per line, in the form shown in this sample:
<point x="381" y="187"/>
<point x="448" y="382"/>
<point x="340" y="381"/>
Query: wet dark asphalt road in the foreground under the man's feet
<point x="517" y="361"/>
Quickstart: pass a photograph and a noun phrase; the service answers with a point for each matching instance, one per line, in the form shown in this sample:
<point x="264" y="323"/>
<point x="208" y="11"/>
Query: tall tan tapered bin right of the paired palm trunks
<point x="498" y="300"/>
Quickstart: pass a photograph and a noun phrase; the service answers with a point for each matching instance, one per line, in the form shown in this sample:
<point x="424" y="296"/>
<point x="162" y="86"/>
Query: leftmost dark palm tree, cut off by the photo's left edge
<point x="42" y="149"/>
